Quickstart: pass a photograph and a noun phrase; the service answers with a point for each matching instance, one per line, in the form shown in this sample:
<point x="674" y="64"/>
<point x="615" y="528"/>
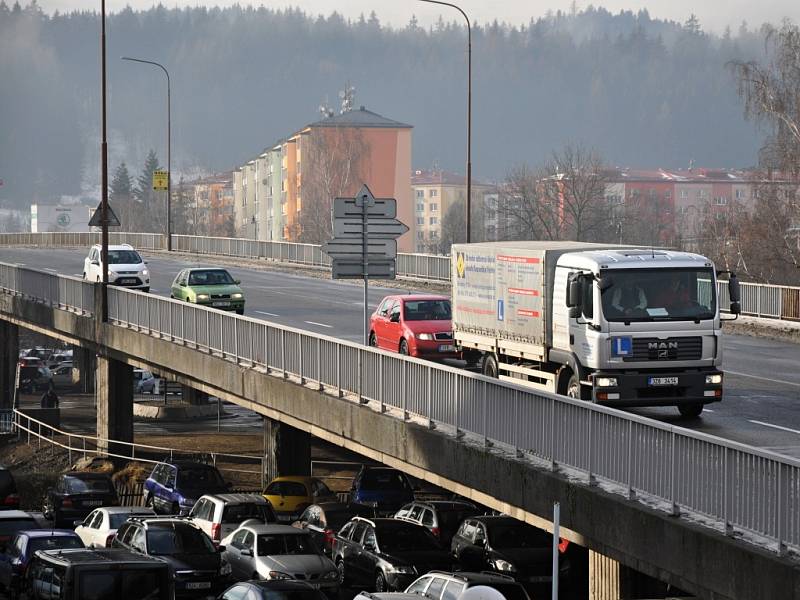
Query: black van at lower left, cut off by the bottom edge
<point x="101" y="574"/>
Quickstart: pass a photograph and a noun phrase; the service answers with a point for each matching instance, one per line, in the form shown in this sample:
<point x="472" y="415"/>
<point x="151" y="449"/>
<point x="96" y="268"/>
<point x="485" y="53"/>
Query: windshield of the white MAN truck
<point x="658" y="294"/>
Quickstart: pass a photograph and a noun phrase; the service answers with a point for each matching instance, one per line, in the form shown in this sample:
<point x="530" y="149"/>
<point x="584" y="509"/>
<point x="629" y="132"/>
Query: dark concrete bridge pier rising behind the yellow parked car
<point x="287" y="450"/>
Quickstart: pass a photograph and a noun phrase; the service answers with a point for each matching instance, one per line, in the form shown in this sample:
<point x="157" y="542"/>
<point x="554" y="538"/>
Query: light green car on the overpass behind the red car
<point x="209" y="286"/>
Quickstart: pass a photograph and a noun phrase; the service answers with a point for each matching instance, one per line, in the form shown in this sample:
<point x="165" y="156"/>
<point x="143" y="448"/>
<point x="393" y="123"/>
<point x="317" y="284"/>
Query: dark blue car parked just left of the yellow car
<point x="173" y="488"/>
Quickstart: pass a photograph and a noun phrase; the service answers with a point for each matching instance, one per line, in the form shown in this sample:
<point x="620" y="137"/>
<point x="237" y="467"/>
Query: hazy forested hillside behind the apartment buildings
<point x="642" y="92"/>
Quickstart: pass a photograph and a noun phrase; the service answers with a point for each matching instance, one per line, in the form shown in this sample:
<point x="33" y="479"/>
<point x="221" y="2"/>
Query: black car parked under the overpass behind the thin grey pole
<point x="509" y="546"/>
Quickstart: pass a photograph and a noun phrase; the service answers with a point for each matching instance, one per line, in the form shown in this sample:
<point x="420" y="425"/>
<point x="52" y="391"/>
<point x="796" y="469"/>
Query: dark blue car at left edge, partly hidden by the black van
<point x="19" y="551"/>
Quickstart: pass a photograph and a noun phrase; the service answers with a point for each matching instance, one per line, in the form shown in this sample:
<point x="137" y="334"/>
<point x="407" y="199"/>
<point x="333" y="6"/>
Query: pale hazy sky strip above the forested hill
<point x="713" y="14"/>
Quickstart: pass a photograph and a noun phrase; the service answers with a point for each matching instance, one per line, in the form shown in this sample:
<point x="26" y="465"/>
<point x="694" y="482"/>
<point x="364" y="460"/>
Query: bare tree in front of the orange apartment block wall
<point x="334" y="165"/>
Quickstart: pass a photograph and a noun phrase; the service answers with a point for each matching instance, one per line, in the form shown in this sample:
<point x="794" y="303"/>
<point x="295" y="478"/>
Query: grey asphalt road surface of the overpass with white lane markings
<point x="762" y="381"/>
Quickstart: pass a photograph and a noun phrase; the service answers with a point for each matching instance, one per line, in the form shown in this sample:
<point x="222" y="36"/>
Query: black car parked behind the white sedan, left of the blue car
<point x="76" y="494"/>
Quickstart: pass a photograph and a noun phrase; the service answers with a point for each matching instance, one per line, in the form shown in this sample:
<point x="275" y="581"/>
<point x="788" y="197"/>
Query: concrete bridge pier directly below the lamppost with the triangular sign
<point x="114" y="405"/>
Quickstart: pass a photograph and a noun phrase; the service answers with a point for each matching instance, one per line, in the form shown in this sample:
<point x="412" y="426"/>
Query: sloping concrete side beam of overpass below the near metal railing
<point x="672" y="550"/>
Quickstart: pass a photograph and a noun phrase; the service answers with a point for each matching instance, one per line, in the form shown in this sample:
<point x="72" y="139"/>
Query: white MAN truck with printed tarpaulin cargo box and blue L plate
<point x="617" y="325"/>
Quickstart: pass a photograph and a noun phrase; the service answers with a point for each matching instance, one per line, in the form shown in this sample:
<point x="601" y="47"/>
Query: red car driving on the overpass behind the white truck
<point x="415" y="325"/>
